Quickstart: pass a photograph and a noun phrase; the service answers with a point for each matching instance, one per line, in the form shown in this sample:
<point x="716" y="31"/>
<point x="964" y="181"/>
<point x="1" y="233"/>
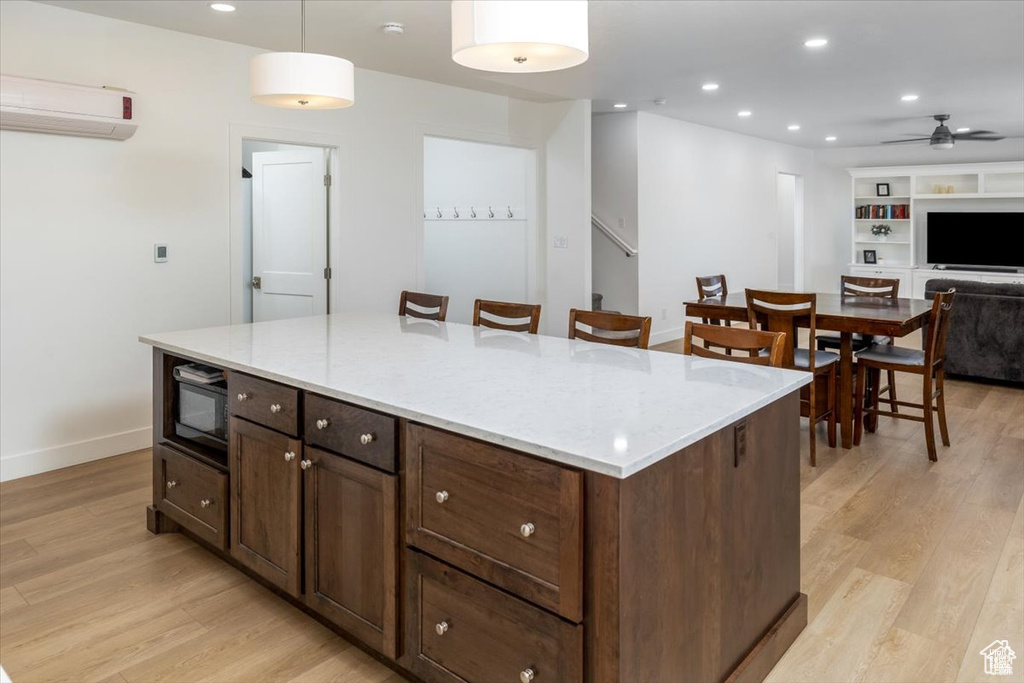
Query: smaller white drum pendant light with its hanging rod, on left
<point x="303" y="80"/>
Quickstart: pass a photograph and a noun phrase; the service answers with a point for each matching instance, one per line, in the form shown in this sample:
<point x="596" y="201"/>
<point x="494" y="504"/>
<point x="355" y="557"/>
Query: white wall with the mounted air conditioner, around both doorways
<point x="77" y="280"/>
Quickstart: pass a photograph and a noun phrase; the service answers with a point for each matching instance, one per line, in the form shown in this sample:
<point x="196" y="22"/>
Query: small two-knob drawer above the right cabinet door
<point x="351" y="431"/>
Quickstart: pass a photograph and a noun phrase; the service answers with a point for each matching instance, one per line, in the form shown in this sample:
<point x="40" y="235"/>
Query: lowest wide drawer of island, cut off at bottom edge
<point x="459" y="629"/>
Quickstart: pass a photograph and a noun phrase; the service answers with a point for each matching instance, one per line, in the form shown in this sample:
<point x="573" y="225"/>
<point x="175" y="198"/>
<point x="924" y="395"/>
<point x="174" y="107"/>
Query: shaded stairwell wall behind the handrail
<point x="615" y="202"/>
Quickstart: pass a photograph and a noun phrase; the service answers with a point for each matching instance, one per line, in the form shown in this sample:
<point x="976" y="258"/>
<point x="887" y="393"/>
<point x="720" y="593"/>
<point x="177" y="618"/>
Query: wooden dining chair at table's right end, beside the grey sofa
<point x="929" y="364"/>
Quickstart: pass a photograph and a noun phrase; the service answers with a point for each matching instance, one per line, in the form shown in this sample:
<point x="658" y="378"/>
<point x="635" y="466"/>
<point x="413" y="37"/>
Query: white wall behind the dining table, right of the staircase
<point x="708" y="205"/>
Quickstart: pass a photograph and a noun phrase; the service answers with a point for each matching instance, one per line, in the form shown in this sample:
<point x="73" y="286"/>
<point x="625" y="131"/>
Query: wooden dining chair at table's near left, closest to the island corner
<point x="789" y="312"/>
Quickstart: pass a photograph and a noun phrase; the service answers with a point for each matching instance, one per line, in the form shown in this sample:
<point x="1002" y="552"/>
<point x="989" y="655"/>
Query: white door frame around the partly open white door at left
<point x="337" y="165"/>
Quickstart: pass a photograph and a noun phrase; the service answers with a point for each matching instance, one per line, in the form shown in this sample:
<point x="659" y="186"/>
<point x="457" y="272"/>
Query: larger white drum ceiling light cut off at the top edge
<point x="517" y="37"/>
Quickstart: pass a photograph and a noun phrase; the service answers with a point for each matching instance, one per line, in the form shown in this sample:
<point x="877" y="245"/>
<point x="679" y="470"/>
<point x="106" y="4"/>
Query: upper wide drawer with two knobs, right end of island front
<point x="508" y="519"/>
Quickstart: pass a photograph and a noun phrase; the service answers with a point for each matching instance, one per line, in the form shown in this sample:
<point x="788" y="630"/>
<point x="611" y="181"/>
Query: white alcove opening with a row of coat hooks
<point x="480" y="231"/>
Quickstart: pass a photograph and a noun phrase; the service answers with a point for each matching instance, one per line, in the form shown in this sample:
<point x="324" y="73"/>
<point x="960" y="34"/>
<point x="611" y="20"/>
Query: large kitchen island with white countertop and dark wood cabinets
<point x="478" y="505"/>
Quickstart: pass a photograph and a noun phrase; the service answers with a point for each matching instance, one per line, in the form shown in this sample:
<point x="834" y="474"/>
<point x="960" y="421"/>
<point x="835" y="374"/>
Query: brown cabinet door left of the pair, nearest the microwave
<point x="266" y="503"/>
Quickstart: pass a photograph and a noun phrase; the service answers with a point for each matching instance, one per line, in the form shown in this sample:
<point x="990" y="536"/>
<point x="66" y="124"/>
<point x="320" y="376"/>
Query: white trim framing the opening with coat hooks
<point x="536" y="180"/>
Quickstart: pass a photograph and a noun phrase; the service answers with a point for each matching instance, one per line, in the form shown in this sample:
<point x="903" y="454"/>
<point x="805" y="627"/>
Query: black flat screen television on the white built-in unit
<point x="975" y="239"/>
